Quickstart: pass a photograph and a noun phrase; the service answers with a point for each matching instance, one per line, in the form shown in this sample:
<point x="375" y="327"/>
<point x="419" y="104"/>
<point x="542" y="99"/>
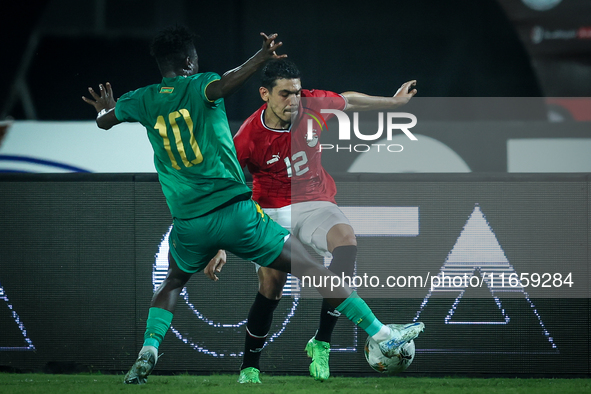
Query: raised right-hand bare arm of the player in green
<point x="234" y="78"/>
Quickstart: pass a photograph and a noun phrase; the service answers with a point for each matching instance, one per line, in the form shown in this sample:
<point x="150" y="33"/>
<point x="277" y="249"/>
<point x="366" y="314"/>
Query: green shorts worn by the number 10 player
<point x="241" y="228"/>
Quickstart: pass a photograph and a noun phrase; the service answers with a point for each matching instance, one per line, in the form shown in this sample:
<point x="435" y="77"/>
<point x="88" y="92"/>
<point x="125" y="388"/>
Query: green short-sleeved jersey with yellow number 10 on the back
<point x="193" y="149"/>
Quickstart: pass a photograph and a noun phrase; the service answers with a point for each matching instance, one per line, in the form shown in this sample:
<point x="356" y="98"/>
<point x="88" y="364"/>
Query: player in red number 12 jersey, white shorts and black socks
<point x="294" y="189"/>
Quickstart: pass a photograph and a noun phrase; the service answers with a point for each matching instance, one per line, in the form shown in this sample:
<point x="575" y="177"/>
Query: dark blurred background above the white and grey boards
<point x="53" y="50"/>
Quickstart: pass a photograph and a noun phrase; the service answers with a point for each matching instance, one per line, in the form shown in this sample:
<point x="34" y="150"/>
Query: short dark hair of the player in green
<point x="171" y="46"/>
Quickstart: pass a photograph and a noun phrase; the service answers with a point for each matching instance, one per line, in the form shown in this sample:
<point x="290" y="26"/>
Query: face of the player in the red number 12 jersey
<point x="283" y="100"/>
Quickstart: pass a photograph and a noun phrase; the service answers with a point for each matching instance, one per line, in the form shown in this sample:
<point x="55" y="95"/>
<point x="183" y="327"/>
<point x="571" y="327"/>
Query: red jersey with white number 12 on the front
<point x="285" y="166"/>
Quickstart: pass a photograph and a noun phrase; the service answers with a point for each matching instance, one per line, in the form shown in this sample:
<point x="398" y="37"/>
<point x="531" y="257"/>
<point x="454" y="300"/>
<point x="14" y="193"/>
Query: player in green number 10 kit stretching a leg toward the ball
<point x="205" y="189"/>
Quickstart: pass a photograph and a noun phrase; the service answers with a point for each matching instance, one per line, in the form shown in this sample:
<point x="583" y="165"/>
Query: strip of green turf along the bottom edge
<point x="48" y="384"/>
